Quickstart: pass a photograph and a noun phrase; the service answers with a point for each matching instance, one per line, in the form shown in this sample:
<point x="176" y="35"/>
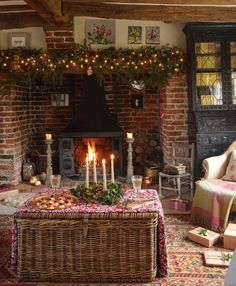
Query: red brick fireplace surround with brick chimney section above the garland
<point x="27" y="114"/>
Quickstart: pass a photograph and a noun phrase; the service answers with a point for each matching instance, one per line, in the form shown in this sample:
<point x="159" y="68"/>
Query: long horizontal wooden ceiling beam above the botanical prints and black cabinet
<point x="149" y="12"/>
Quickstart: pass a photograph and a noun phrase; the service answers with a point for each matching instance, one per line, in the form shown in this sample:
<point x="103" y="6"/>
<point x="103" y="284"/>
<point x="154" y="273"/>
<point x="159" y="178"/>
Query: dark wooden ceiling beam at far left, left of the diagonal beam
<point x="10" y="21"/>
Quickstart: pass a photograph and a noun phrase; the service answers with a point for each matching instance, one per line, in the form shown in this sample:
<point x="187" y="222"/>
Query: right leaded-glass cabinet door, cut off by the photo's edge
<point x="232" y="95"/>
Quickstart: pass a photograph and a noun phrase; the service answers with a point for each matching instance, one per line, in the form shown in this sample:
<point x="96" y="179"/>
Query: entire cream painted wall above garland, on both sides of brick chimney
<point x="170" y="33"/>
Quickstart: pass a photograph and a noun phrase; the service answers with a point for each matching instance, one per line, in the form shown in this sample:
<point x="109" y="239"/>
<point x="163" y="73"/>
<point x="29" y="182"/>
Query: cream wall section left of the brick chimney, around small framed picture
<point x="36" y="37"/>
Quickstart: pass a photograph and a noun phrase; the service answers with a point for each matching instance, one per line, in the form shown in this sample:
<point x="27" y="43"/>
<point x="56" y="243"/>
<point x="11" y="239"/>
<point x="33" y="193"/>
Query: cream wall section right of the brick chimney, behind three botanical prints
<point x="170" y="33"/>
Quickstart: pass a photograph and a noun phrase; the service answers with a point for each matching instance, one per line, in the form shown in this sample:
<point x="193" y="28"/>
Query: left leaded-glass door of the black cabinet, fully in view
<point x="208" y="75"/>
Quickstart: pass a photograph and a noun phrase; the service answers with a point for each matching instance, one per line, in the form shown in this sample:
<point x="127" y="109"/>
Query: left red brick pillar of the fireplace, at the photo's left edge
<point x="15" y="133"/>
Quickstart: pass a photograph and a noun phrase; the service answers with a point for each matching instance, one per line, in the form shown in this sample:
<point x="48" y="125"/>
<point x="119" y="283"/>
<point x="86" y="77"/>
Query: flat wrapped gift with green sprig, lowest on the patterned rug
<point x="217" y="258"/>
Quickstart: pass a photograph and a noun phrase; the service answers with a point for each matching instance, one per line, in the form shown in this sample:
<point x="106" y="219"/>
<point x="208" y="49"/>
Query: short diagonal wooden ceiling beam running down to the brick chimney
<point x="50" y="11"/>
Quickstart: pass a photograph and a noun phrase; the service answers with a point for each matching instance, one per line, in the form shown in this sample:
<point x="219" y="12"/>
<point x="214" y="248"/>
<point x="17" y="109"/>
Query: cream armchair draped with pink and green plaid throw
<point x="215" y="195"/>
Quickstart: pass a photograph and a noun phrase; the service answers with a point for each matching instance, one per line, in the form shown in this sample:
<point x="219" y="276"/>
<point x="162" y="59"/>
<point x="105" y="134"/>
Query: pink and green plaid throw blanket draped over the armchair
<point x="212" y="203"/>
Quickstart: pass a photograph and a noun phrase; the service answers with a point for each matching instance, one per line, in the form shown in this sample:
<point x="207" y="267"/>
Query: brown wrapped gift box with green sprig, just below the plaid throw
<point x="208" y="240"/>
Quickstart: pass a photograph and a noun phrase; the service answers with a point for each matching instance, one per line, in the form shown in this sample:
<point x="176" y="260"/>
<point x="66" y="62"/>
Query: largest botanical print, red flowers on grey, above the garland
<point x="100" y="32"/>
